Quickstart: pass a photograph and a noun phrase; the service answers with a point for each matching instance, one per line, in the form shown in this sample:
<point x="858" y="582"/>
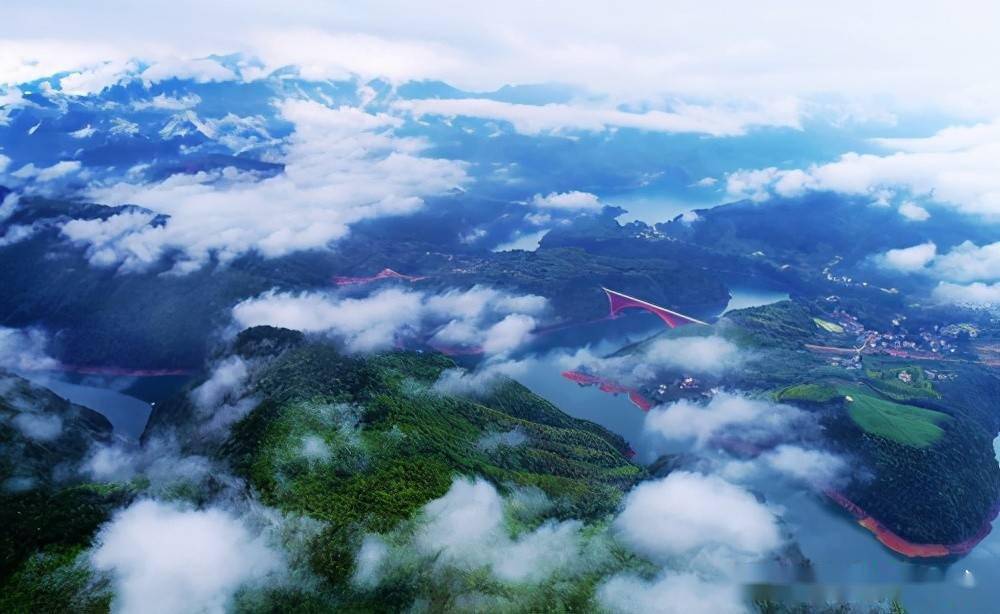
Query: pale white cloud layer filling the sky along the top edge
<point x="644" y="50"/>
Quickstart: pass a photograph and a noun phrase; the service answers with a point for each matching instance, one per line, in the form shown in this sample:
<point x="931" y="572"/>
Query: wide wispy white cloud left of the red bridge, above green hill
<point x="495" y="321"/>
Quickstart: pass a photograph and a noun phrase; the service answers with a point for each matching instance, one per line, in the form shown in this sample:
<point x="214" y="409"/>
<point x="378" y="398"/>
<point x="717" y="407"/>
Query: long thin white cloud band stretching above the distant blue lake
<point x="684" y="118"/>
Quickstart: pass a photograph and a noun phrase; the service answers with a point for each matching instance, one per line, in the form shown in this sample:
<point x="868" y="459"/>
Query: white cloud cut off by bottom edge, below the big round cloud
<point x="670" y="594"/>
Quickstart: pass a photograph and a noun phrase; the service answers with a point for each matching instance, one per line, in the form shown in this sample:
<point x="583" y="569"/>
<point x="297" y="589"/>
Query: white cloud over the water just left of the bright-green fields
<point x="726" y="414"/>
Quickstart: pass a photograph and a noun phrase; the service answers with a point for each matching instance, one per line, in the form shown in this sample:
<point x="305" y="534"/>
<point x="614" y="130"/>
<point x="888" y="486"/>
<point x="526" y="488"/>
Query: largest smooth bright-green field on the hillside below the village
<point x="905" y="424"/>
